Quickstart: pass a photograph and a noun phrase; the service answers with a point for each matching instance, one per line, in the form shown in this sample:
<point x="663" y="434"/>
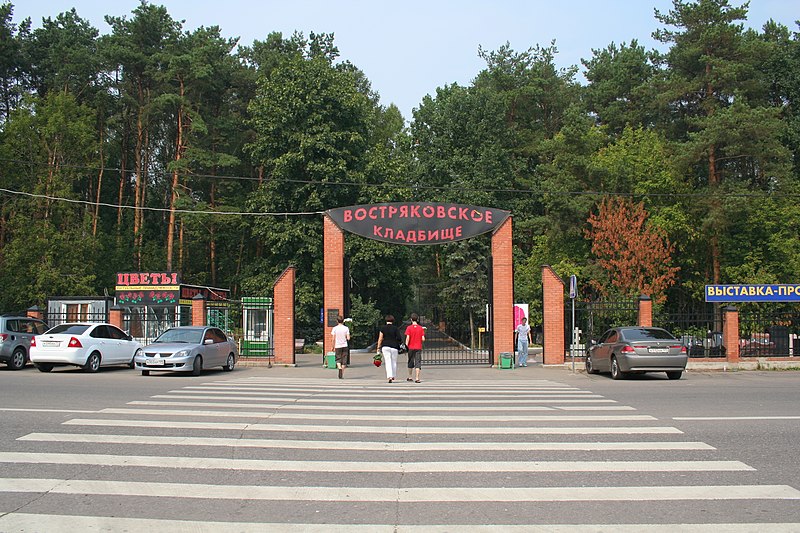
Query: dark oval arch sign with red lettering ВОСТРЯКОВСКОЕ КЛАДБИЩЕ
<point x="415" y="223"/>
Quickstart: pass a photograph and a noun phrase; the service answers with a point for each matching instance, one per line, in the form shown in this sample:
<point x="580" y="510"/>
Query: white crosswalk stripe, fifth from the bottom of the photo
<point x="417" y="430"/>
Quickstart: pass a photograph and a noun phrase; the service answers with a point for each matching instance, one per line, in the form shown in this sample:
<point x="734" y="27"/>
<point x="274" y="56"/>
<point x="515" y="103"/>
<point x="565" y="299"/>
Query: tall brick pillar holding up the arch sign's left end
<point x="333" y="278"/>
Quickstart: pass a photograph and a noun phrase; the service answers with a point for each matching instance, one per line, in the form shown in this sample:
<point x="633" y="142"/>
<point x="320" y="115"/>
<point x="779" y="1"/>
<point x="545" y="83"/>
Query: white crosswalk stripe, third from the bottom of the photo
<point x="211" y="463"/>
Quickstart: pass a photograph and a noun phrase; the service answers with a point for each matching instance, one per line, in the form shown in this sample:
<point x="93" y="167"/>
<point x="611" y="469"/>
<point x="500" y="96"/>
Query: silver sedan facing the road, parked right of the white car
<point x="188" y="349"/>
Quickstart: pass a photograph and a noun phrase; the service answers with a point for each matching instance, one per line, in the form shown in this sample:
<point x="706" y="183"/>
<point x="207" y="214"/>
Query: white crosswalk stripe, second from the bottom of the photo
<point x="176" y="491"/>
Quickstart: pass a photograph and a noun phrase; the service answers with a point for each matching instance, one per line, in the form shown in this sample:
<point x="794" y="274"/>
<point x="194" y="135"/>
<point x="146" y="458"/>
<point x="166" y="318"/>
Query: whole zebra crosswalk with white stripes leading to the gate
<point x="256" y="453"/>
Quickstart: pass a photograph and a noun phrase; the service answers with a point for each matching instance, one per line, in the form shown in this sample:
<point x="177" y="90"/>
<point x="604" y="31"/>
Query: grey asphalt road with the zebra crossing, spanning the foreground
<point x="295" y="449"/>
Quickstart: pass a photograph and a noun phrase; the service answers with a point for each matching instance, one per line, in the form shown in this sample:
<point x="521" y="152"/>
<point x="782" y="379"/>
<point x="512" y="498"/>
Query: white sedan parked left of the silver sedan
<point x="88" y="346"/>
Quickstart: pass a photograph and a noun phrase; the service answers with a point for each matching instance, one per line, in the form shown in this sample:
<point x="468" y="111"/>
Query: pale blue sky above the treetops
<point x="407" y="49"/>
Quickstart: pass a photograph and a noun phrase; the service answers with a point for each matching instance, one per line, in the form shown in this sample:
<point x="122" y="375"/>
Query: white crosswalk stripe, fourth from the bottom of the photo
<point x="367" y="445"/>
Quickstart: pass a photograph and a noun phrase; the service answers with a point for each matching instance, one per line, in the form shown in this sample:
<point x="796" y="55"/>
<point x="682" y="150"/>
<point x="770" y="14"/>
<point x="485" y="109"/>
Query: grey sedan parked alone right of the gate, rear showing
<point x="637" y="349"/>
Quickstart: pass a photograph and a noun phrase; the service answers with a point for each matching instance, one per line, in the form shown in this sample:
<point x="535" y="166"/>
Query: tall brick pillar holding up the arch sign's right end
<point x="503" y="290"/>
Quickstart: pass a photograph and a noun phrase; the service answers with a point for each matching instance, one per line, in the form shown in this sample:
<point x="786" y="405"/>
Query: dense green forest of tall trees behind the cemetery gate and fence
<point x="158" y="147"/>
